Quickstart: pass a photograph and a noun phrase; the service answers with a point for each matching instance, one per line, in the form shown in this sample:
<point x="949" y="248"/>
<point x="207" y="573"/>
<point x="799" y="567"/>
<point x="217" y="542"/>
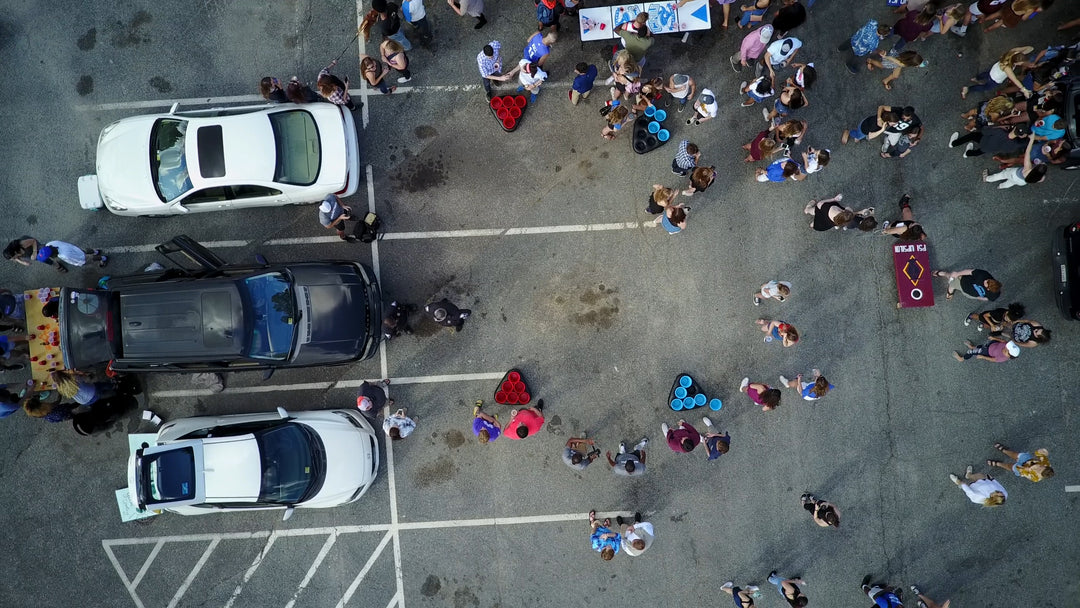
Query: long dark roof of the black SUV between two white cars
<point x="182" y="320"/>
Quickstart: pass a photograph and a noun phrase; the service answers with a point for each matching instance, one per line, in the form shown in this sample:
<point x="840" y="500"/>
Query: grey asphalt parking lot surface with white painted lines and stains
<point x="543" y="234"/>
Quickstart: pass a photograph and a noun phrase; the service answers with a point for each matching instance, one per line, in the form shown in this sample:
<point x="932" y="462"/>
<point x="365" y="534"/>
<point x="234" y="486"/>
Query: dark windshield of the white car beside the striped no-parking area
<point x="293" y="464"/>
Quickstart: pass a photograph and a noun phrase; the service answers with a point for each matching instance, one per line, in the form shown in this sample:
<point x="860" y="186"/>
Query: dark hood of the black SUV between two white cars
<point x="336" y="321"/>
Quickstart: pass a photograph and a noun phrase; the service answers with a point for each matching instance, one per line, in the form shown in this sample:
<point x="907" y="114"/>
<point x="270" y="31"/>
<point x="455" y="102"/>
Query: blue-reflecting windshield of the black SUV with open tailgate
<point x="274" y="316"/>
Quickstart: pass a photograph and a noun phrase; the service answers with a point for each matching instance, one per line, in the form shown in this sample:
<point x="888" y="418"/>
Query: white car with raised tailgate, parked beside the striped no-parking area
<point x="251" y="462"/>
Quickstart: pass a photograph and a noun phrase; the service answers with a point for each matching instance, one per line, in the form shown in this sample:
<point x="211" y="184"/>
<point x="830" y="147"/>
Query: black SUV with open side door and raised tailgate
<point x="207" y="316"/>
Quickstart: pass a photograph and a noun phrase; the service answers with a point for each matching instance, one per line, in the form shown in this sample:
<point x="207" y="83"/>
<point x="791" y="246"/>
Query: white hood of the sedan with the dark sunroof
<point x="124" y="164"/>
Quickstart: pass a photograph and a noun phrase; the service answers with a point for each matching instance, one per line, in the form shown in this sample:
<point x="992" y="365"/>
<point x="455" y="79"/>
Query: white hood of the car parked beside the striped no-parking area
<point x="350" y="456"/>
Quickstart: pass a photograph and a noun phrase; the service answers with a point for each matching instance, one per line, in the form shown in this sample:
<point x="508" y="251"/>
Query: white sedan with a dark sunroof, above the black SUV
<point x="222" y="159"/>
